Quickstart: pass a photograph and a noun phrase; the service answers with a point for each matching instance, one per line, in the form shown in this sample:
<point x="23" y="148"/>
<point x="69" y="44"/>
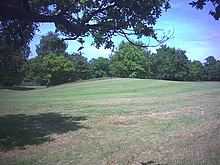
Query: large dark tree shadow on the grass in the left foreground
<point x="17" y="131"/>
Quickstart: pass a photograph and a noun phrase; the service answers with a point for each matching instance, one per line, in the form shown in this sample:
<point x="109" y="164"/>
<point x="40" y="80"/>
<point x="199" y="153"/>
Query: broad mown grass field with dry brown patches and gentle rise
<point x="113" y="121"/>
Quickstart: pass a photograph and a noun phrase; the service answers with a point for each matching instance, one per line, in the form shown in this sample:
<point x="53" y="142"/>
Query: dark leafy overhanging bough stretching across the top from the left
<point x="100" y="19"/>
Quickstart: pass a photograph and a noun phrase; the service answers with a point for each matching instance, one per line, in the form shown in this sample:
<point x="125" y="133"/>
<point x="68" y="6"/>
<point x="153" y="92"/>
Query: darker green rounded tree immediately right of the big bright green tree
<point x="170" y="64"/>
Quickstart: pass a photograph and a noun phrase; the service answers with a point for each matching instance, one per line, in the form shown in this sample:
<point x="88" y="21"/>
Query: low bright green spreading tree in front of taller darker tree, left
<point x="50" y="70"/>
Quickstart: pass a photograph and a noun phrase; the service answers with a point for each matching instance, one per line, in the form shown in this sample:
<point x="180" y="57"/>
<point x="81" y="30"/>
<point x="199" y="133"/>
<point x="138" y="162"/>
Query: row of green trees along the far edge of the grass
<point x="53" y="66"/>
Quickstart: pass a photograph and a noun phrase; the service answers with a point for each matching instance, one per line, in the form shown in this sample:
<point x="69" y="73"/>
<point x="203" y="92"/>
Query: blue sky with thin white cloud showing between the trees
<point x="194" y="31"/>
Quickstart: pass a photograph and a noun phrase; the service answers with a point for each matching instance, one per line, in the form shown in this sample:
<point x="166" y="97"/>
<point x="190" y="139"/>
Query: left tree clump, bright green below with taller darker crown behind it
<point x="52" y="66"/>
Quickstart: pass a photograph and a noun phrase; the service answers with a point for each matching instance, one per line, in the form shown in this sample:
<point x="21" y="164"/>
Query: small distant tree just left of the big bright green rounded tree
<point x="100" y="67"/>
